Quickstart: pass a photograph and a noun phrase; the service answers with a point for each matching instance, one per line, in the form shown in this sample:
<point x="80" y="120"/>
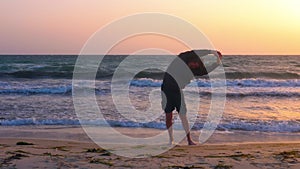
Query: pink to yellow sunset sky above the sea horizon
<point x="240" y="27"/>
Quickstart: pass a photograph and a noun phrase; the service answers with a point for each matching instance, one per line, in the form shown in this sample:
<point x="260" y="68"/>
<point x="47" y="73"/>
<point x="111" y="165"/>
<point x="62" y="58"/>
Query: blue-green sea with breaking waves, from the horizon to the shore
<point x="263" y="93"/>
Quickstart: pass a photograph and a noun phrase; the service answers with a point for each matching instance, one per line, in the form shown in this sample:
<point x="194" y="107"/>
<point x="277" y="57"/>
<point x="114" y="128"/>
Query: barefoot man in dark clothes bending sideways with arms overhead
<point x="179" y="73"/>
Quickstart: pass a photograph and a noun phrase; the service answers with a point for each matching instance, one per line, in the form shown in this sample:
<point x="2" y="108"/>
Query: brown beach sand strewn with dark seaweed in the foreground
<point x="18" y="150"/>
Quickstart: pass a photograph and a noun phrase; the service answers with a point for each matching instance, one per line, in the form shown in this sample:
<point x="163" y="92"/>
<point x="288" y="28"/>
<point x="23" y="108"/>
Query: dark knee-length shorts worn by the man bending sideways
<point x="172" y="100"/>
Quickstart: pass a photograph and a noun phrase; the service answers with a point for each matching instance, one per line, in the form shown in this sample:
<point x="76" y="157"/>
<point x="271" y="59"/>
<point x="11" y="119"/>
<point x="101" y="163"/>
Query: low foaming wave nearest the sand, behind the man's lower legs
<point x="259" y="126"/>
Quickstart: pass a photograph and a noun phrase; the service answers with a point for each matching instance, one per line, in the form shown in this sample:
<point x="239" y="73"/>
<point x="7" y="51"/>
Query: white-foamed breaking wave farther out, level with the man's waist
<point x="235" y="88"/>
